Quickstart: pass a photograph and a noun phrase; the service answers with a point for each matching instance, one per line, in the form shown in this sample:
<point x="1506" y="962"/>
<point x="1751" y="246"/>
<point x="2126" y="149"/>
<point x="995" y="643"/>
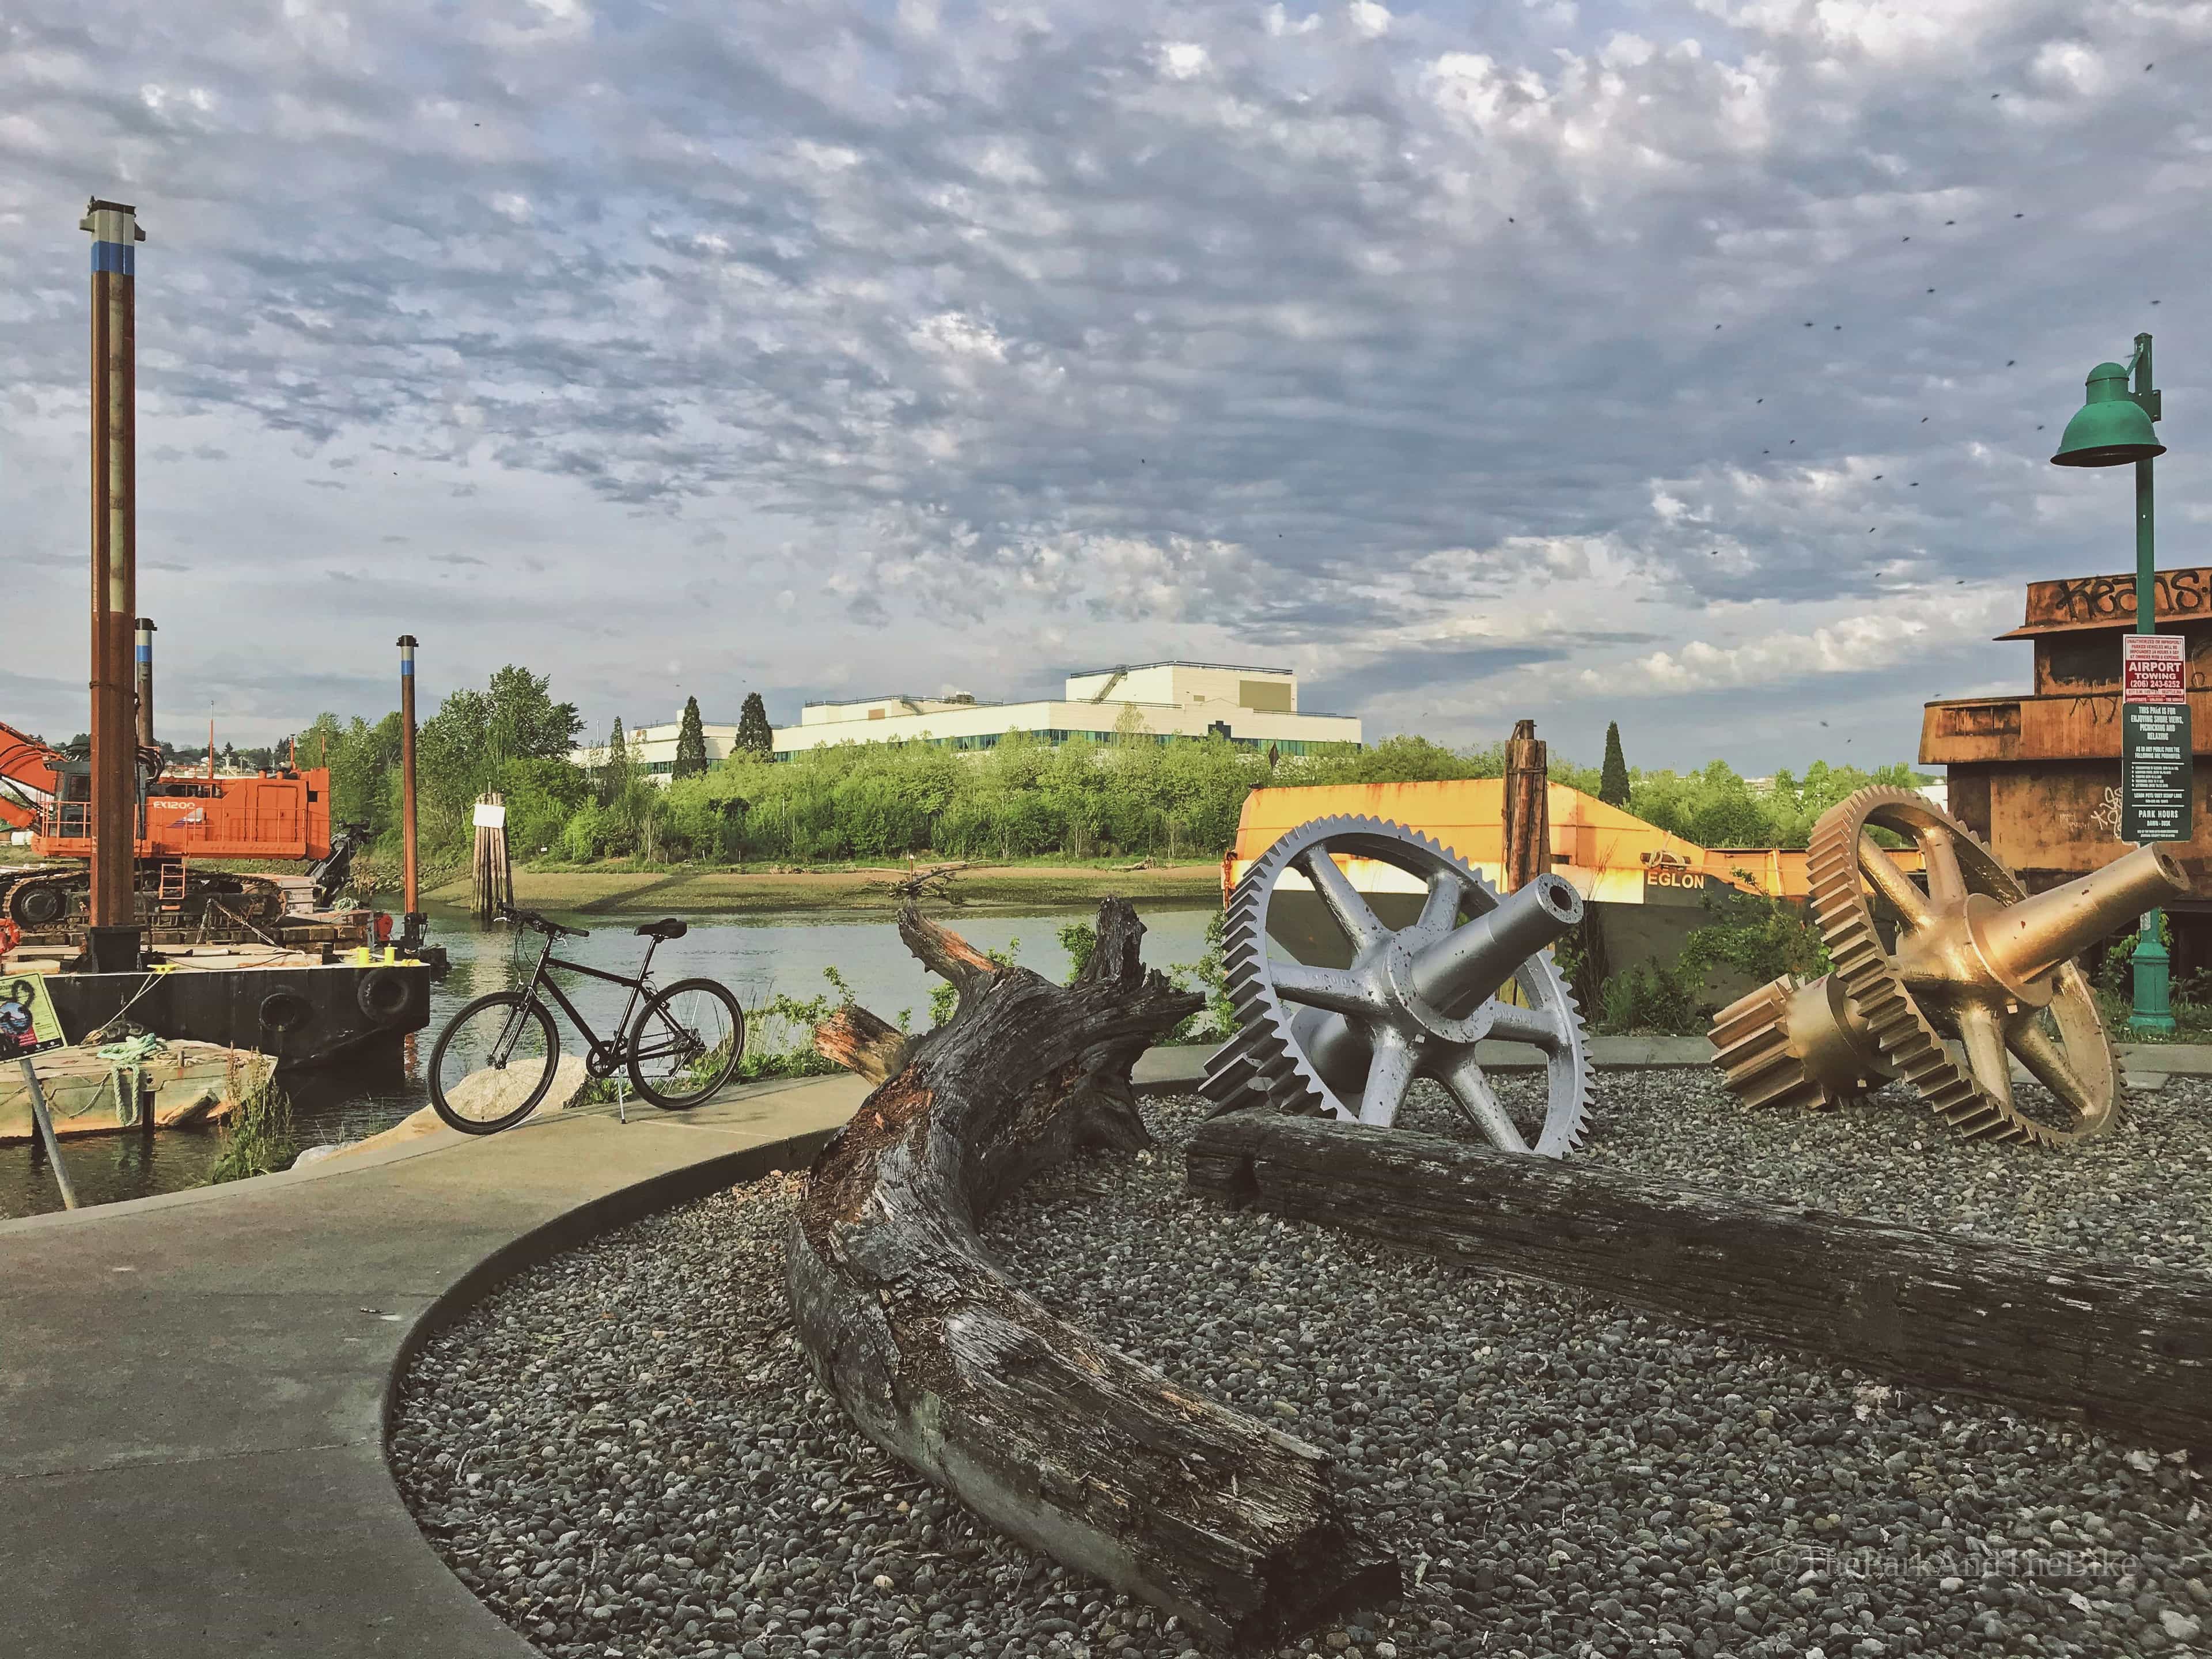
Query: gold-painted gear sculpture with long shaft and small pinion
<point x="1976" y="963"/>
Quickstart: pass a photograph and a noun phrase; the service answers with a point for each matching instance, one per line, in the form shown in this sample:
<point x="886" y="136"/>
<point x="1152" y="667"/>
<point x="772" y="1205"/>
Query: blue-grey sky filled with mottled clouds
<point x="1691" y="366"/>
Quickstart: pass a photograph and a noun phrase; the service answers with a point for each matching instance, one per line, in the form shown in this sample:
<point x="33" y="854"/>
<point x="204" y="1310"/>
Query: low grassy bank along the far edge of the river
<point x="724" y="893"/>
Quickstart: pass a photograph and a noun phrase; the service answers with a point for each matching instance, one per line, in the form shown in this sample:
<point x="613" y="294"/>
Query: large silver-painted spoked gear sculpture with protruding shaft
<point x="1415" y="1003"/>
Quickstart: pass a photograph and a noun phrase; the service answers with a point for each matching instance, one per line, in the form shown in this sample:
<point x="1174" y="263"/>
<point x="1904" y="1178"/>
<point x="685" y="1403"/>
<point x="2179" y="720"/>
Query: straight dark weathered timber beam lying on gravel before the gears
<point x="2127" y="1350"/>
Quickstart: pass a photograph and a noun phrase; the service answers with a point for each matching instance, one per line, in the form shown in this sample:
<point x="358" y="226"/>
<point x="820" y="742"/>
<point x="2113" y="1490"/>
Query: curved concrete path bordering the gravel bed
<point x="194" y="1386"/>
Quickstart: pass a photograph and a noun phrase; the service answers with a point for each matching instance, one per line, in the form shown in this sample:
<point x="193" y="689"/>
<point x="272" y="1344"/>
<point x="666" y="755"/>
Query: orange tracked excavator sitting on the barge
<point x="182" y="817"/>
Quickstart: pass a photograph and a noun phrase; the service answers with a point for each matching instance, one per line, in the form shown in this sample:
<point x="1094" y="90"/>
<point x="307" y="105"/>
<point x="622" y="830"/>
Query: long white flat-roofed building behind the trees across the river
<point x="1165" y="700"/>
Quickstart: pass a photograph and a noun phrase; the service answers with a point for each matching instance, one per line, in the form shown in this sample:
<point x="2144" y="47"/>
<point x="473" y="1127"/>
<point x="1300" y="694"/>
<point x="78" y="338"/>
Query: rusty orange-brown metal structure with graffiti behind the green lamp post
<point x="2036" y="778"/>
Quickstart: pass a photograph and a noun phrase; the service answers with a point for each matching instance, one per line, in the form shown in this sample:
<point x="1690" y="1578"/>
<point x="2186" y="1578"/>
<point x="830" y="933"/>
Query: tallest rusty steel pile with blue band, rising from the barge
<point x="114" y="921"/>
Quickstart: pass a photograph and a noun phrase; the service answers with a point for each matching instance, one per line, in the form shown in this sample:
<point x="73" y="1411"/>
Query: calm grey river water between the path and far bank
<point x="758" y="957"/>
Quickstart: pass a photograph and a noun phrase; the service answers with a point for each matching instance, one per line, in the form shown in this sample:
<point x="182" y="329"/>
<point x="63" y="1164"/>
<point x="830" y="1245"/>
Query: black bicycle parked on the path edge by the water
<point x="497" y="1058"/>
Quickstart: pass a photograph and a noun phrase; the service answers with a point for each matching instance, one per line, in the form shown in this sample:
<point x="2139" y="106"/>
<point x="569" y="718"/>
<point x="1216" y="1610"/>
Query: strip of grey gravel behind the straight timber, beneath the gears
<point x="2138" y="1193"/>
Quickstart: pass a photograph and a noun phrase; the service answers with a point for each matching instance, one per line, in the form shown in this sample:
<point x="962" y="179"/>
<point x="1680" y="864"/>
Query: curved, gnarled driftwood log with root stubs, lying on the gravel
<point x="1032" y="1423"/>
